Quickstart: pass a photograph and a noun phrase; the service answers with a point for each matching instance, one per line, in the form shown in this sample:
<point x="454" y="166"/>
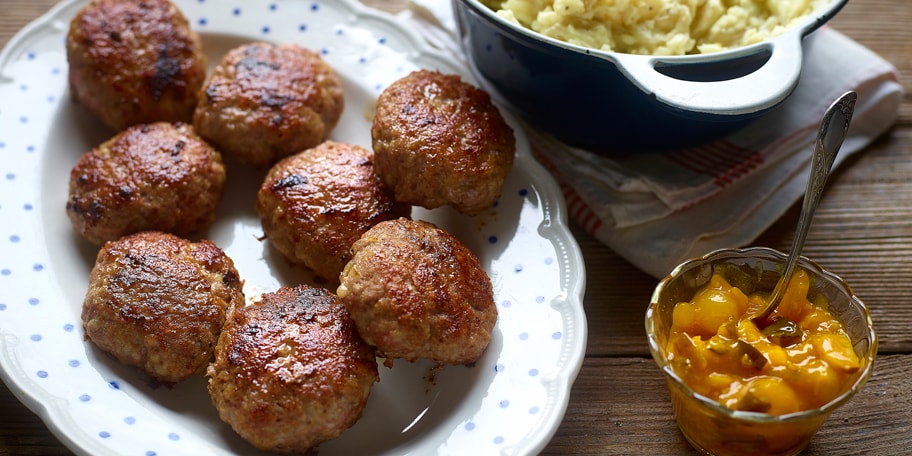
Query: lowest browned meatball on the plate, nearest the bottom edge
<point x="291" y="371"/>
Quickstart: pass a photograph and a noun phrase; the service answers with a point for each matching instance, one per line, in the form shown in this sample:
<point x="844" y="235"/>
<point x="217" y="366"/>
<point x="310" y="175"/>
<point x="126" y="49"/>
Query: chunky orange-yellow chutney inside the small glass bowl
<point x="802" y="359"/>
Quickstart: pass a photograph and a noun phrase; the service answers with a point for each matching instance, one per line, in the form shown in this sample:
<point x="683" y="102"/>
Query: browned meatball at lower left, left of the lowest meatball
<point x="158" y="302"/>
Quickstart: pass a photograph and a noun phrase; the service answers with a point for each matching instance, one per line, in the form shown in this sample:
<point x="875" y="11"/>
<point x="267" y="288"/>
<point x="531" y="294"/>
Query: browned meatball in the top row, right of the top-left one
<point x="267" y="101"/>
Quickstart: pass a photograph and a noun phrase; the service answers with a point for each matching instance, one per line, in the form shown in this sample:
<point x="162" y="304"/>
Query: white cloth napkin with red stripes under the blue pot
<point x="656" y="210"/>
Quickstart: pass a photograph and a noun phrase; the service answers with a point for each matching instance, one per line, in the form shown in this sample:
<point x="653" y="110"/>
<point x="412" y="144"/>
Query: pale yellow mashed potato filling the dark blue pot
<point x="657" y="27"/>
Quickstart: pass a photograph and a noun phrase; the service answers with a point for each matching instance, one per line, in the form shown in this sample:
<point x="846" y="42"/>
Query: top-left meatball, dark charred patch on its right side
<point x="134" y="61"/>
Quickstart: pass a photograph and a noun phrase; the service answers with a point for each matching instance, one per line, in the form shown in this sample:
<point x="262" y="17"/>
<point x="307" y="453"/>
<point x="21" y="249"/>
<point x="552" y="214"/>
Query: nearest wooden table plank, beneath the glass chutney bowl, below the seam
<point x="620" y="406"/>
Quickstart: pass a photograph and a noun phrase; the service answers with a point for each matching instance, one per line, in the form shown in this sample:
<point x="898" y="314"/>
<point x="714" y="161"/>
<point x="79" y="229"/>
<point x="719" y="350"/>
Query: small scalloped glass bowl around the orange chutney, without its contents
<point x="709" y="426"/>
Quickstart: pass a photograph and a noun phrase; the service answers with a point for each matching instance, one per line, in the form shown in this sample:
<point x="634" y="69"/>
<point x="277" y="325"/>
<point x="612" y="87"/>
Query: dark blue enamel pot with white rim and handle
<point x="612" y="102"/>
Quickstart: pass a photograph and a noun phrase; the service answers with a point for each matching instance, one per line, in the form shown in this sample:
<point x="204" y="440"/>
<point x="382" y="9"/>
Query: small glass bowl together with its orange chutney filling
<point x="737" y="389"/>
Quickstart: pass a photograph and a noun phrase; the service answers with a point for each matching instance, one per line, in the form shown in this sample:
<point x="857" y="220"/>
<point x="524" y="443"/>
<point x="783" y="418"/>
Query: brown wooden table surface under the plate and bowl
<point x="619" y="404"/>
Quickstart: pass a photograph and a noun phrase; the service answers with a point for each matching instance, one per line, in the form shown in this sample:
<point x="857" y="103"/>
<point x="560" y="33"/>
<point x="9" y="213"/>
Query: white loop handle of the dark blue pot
<point x="756" y="91"/>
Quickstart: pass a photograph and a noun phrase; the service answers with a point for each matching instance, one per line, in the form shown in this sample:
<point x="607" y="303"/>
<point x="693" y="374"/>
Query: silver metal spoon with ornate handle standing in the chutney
<point x="830" y="136"/>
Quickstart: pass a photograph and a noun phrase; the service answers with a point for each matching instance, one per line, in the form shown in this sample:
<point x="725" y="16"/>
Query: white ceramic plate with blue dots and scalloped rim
<point x="510" y="402"/>
